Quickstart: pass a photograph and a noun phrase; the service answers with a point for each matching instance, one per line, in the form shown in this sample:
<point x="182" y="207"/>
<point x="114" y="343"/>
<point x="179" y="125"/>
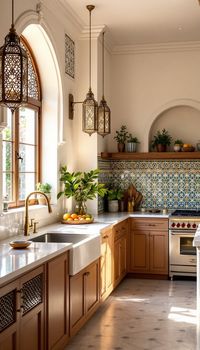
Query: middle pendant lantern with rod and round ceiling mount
<point x="90" y="105"/>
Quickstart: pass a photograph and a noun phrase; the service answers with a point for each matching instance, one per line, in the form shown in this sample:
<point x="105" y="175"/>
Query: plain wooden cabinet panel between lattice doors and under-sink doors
<point x="57" y="302"/>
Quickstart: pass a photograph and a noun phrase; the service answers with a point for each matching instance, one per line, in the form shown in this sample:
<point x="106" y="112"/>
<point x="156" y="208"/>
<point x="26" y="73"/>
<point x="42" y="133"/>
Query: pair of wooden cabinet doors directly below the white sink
<point x="84" y="296"/>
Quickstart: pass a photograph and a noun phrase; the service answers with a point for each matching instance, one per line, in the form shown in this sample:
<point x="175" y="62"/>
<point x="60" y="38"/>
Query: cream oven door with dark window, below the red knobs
<point x="182" y="251"/>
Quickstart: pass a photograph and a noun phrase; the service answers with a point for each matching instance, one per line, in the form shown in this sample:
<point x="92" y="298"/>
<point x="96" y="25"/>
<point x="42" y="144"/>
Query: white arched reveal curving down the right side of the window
<point x="41" y="41"/>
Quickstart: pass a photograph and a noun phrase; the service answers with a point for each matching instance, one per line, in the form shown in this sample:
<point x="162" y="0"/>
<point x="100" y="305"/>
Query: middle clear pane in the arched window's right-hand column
<point x="27" y="163"/>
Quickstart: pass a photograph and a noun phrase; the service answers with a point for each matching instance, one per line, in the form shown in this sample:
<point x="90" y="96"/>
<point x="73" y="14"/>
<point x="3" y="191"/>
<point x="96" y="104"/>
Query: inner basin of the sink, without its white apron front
<point x="60" y="238"/>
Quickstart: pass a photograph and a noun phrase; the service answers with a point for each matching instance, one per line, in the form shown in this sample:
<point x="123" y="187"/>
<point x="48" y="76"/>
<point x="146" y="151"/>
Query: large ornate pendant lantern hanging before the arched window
<point x="13" y="70"/>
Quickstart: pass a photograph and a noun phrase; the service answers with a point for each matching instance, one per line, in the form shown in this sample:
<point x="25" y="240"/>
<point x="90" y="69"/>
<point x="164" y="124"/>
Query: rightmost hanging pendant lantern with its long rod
<point x="103" y="118"/>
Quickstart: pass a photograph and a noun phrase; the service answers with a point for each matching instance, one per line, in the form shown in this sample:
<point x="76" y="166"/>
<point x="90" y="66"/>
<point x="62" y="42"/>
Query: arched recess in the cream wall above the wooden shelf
<point x="181" y="118"/>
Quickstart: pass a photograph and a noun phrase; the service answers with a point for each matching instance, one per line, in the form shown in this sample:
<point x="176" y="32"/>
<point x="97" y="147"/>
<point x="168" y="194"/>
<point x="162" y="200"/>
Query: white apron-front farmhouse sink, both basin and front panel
<point x="85" y="248"/>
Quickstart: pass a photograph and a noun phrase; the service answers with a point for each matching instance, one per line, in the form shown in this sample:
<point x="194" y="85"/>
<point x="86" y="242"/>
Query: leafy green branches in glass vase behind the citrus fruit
<point x="81" y="186"/>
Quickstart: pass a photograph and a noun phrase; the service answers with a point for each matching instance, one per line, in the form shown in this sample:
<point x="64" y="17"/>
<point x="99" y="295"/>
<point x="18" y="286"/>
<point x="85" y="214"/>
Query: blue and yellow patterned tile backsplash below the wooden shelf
<point x="163" y="184"/>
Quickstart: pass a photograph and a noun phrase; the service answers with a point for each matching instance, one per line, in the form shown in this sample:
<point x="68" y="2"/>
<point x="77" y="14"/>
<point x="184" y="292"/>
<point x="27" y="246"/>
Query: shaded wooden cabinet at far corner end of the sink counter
<point x="121" y="251"/>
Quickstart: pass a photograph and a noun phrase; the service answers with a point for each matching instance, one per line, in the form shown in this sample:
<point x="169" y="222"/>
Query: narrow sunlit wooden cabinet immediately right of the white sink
<point x="106" y="263"/>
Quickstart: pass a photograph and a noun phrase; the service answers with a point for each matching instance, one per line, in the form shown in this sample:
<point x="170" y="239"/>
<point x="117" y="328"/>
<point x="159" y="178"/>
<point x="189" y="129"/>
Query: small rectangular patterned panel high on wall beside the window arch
<point x="69" y="56"/>
